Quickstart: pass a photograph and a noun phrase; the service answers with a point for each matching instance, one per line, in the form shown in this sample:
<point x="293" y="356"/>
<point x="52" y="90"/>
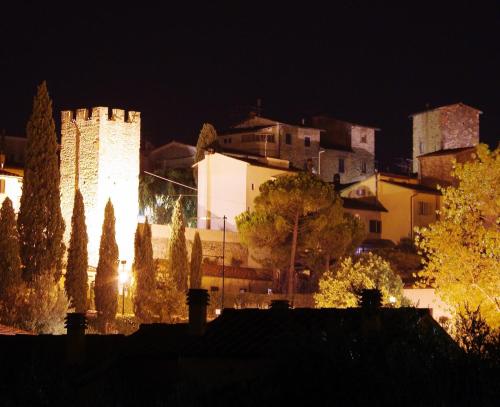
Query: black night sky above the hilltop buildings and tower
<point x="368" y="62"/>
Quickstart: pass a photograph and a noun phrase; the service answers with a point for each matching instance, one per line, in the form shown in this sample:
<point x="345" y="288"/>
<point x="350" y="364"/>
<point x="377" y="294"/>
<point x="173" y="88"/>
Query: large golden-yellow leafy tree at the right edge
<point x="462" y="249"/>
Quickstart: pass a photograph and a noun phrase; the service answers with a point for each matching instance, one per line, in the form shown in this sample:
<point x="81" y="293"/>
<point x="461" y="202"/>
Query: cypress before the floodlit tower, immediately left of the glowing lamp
<point x="106" y="278"/>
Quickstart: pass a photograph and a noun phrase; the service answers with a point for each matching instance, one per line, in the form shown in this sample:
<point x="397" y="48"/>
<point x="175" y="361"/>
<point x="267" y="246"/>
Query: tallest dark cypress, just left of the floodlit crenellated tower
<point x="40" y="222"/>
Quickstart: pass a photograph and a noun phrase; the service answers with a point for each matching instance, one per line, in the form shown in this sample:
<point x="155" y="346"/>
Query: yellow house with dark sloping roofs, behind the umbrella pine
<point x="405" y="201"/>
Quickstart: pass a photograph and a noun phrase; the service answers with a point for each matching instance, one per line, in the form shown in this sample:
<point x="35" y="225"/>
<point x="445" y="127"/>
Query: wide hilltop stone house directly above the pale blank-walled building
<point x="263" y="137"/>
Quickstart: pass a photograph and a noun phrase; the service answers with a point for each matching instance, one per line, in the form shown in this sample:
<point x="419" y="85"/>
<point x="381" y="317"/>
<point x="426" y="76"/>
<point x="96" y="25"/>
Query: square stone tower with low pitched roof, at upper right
<point x="444" y="128"/>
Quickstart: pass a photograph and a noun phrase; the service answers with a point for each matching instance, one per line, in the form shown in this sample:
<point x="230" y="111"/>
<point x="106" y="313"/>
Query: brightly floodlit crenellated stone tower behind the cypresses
<point x="100" y="156"/>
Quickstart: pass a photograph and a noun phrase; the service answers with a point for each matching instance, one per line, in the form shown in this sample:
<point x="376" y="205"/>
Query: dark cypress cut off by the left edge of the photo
<point x="11" y="283"/>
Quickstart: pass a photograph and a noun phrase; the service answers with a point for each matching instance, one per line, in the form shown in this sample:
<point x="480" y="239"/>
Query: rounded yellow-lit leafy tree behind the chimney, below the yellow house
<point x="342" y="287"/>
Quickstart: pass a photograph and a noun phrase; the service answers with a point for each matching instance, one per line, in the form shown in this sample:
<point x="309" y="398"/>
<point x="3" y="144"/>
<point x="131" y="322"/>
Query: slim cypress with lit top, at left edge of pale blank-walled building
<point x="177" y="252"/>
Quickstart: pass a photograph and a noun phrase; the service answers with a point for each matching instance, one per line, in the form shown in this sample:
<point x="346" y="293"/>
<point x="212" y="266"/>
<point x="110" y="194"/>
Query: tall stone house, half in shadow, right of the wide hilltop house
<point x="347" y="149"/>
